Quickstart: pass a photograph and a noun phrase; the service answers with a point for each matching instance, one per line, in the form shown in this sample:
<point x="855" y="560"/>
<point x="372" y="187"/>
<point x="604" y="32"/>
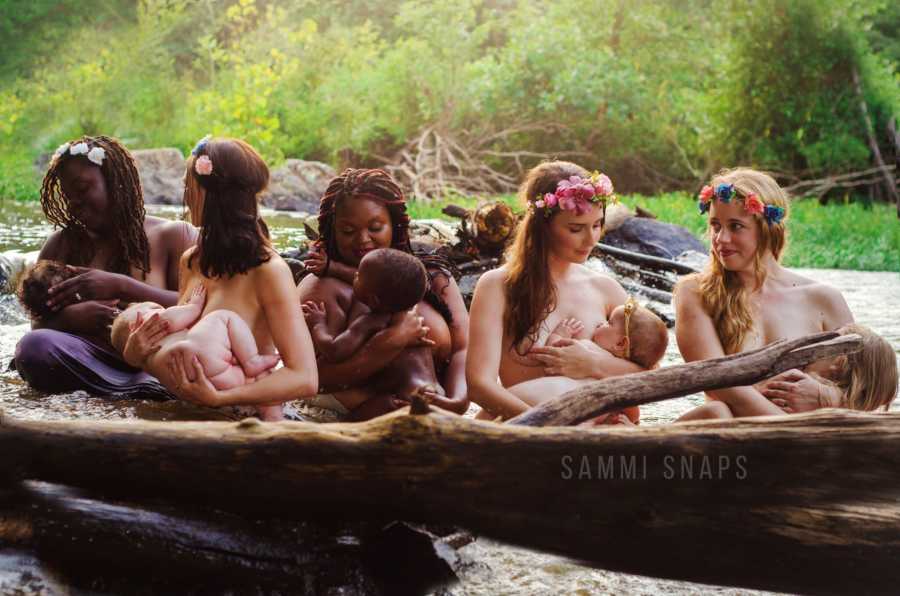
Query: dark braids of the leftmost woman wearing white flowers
<point x="126" y="209"/>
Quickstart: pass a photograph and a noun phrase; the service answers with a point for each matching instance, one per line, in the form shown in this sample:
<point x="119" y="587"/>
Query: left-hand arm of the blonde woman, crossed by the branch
<point x="697" y="340"/>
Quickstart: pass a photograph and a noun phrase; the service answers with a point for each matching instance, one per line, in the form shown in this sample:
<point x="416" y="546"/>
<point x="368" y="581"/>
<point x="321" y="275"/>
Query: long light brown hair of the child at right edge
<point x="869" y="377"/>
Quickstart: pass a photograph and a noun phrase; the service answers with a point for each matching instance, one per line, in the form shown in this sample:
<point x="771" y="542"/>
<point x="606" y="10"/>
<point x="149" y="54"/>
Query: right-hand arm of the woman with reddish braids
<point x="454" y="381"/>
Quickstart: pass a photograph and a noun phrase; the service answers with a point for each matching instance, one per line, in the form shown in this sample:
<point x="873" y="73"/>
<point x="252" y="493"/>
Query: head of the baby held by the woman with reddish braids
<point x="390" y="280"/>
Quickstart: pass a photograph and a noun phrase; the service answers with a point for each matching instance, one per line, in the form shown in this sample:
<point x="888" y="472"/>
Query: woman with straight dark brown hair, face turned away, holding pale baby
<point x="241" y="272"/>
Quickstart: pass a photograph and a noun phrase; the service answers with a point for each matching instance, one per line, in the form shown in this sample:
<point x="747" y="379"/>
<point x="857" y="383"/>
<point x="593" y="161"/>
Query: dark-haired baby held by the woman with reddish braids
<point x="387" y="282"/>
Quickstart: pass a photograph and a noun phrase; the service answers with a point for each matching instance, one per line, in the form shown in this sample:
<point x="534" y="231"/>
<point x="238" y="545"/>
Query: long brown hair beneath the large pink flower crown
<point x="530" y="293"/>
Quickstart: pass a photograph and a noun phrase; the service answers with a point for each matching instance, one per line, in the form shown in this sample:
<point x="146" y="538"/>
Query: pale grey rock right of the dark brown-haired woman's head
<point x="298" y="185"/>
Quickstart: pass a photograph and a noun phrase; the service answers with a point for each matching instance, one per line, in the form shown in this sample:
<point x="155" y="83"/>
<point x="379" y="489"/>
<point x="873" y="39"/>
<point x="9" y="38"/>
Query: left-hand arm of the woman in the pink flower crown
<point x="485" y="348"/>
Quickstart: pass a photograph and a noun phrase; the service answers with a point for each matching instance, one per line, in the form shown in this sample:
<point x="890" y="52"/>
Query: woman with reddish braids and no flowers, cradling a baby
<point x="363" y="210"/>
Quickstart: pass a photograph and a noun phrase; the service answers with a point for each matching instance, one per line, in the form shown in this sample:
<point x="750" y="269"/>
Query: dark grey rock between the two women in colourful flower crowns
<point x="652" y="237"/>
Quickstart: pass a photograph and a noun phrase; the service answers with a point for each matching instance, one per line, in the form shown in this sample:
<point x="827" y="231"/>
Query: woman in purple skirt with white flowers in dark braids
<point x="117" y="254"/>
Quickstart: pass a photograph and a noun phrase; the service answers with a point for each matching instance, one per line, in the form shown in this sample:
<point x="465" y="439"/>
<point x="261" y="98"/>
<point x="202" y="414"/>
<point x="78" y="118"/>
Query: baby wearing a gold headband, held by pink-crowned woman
<point x="632" y="332"/>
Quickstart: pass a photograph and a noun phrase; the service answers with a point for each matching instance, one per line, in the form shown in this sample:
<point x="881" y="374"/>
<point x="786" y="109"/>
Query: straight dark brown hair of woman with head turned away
<point x="233" y="237"/>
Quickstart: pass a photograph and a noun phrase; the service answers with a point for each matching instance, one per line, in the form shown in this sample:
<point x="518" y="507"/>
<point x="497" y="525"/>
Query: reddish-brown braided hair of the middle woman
<point x="377" y="185"/>
